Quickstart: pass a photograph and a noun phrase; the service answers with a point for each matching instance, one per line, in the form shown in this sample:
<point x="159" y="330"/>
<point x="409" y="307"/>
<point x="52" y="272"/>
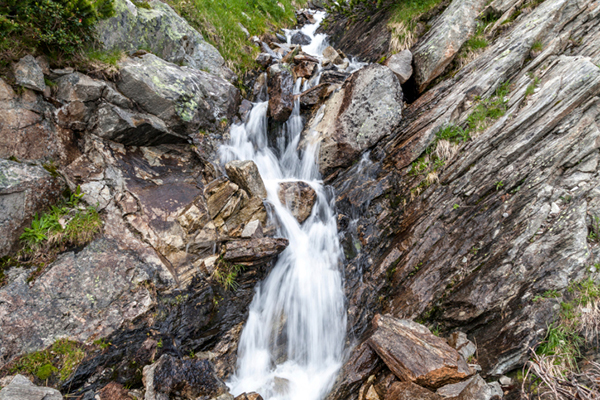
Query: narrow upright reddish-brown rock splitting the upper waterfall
<point x="280" y="87"/>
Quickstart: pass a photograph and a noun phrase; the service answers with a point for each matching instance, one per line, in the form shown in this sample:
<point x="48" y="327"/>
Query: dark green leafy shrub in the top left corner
<point x="57" y="28"/>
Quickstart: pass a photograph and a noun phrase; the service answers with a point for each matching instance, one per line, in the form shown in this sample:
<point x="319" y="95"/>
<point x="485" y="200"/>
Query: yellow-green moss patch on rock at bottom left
<point x="59" y="360"/>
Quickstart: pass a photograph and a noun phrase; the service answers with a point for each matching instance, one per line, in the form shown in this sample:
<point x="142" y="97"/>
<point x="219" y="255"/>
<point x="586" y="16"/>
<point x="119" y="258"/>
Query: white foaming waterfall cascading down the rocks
<point x="292" y="345"/>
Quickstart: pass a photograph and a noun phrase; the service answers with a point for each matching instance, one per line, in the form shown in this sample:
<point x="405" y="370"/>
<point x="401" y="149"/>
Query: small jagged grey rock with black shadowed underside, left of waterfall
<point x="131" y="128"/>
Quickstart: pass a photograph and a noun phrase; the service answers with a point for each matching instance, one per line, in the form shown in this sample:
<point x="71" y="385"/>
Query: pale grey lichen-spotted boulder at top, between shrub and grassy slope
<point x="163" y="32"/>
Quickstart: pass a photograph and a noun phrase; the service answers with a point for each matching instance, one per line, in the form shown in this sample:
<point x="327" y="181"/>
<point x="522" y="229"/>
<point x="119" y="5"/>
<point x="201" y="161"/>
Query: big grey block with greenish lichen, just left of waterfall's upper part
<point x="187" y="100"/>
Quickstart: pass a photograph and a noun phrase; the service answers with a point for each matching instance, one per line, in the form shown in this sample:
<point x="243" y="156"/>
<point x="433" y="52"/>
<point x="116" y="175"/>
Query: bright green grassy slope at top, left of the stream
<point x="219" y="22"/>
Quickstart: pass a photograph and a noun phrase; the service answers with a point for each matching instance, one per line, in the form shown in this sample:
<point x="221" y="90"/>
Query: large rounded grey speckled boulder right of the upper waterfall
<point x="366" y="109"/>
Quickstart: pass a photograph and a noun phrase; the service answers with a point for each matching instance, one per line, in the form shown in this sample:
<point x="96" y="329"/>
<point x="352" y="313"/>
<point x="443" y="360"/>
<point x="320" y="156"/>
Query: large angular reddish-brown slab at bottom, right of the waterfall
<point x="413" y="354"/>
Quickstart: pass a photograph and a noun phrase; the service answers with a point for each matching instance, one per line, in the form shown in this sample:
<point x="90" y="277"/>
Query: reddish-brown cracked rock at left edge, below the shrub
<point x="28" y="130"/>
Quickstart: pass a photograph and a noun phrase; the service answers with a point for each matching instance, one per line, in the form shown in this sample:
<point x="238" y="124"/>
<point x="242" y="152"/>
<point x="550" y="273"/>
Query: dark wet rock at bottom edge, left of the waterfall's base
<point x="189" y="379"/>
